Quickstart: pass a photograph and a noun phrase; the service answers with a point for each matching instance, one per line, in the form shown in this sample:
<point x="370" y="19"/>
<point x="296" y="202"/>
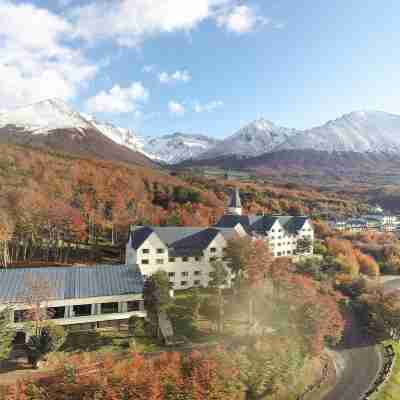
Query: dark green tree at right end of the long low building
<point x="156" y="296"/>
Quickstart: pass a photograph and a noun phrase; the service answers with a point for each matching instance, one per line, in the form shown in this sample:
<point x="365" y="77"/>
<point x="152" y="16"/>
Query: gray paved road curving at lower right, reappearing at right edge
<point x="358" y="362"/>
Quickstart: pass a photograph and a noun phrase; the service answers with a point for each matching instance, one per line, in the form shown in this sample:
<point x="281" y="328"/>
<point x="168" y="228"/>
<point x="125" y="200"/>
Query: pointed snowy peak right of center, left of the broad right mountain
<point x="256" y="138"/>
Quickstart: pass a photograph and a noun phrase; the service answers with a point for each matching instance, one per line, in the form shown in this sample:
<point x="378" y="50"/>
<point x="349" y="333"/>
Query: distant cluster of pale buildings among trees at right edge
<point x="377" y="220"/>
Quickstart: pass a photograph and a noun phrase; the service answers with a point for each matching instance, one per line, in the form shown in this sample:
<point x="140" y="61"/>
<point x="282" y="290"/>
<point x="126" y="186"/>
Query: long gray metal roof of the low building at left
<point x="71" y="282"/>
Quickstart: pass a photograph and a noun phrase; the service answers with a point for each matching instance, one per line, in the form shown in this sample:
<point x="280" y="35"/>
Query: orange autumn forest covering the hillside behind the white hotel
<point x="52" y="205"/>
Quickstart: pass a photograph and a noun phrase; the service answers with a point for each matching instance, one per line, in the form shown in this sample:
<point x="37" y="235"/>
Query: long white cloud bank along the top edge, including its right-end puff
<point x="130" y="22"/>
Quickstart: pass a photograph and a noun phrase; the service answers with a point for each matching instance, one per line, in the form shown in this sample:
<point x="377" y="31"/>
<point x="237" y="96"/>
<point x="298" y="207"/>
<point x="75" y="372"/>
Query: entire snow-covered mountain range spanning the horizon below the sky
<point x="361" y="131"/>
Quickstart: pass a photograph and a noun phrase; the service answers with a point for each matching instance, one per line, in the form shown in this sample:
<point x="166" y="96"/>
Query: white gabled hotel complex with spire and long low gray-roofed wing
<point x="96" y="296"/>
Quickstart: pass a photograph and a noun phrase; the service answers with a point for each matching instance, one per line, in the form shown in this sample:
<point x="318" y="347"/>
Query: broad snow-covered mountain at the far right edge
<point x="359" y="131"/>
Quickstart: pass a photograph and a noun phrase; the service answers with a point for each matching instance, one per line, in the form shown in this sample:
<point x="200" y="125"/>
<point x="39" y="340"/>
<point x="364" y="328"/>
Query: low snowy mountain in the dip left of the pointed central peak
<point x="178" y="147"/>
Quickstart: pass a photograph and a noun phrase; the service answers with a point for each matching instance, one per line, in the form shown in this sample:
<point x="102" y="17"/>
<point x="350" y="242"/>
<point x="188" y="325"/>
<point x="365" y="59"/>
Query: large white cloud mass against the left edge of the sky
<point x="35" y="62"/>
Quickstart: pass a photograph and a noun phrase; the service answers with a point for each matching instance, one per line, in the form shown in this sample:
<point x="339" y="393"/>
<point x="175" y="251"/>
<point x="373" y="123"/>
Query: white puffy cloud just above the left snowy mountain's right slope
<point x="118" y="99"/>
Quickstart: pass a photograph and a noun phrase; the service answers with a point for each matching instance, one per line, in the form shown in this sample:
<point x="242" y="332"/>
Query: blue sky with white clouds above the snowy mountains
<point x="202" y="66"/>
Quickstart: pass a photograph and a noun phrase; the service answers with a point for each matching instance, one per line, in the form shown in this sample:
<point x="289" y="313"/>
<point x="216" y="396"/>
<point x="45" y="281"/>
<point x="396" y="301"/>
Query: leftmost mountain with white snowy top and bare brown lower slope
<point x="51" y="124"/>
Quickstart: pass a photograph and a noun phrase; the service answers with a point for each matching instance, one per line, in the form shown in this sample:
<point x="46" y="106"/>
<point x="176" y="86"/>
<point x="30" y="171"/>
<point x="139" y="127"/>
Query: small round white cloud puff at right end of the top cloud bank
<point x="240" y="19"/>
